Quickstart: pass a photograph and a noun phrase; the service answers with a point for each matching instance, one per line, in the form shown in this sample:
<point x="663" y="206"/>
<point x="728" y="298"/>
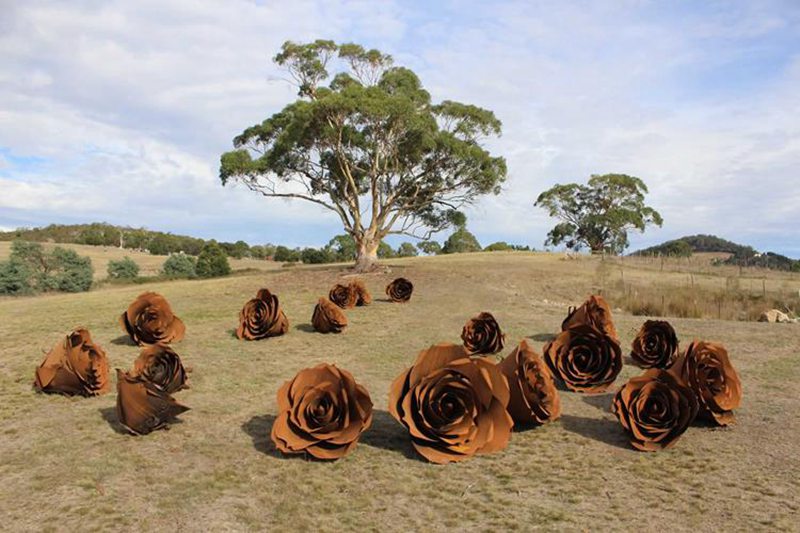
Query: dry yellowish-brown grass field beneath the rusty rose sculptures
<point x="66" y="465"/>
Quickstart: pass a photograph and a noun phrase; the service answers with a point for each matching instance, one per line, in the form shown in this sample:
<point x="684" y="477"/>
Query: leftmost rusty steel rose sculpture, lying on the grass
<point x="74" y="366"/>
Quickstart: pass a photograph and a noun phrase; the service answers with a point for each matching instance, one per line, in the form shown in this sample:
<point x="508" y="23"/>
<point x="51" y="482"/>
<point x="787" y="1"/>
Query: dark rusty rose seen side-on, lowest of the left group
<point x="142" y="406"/>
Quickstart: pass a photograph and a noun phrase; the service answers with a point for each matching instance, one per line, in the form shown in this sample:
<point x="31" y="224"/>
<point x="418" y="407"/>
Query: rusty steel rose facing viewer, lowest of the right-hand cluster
<point x="655" y="409"/>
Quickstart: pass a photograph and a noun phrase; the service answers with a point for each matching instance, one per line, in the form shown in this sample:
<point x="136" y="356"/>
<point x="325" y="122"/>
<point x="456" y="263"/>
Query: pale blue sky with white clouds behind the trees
<point x="118" y="111"/>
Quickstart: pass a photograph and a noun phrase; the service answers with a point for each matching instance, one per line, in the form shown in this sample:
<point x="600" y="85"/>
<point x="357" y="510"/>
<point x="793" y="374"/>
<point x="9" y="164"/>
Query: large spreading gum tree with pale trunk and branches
<point x="370" y="146"/>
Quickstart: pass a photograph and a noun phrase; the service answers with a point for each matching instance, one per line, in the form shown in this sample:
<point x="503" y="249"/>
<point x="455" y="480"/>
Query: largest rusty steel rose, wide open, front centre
<point x="453" y="405"/>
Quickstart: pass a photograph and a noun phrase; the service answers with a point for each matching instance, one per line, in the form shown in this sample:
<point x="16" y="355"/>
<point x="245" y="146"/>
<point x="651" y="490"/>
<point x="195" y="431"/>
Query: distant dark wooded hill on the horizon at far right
<point x="740" y="255"/>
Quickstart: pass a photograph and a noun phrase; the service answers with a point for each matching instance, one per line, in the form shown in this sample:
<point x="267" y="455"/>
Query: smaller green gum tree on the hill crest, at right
<point x="598" y="215"/>
